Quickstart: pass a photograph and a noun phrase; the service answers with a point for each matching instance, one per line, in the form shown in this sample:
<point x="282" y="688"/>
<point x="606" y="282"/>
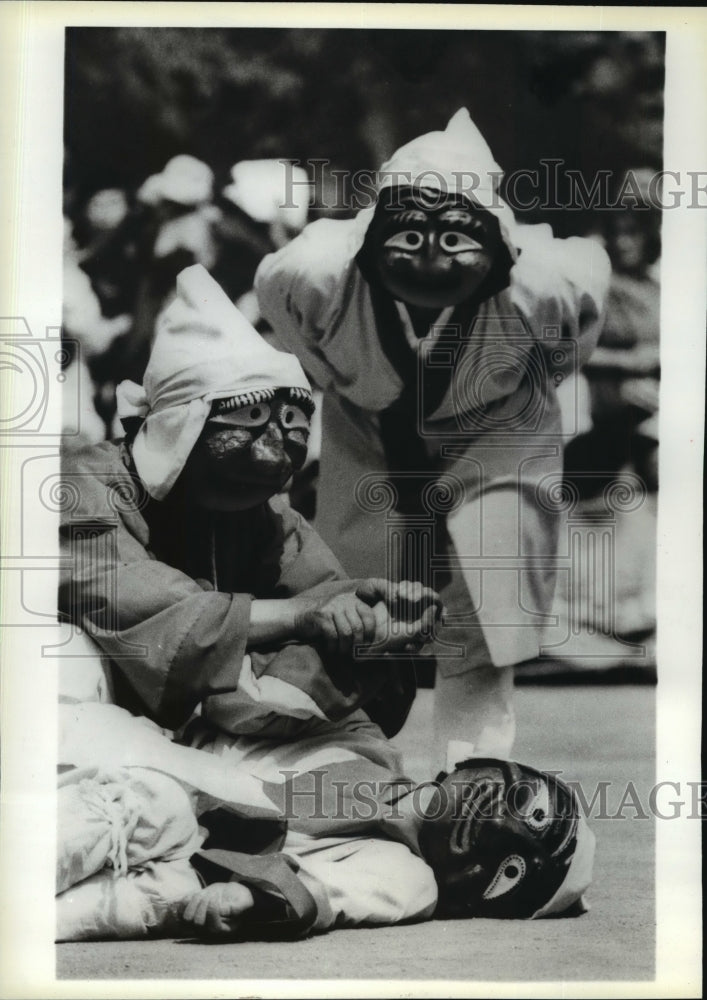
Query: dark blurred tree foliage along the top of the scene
<point x="136" y="97"/>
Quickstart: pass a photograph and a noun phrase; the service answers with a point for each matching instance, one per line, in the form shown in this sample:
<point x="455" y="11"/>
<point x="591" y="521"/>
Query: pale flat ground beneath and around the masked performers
<point x="593" y="733"/>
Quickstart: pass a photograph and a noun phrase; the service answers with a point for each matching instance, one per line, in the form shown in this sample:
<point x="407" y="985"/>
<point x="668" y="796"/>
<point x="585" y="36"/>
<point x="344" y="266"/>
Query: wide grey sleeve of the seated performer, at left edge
<point x="173" y="642"/>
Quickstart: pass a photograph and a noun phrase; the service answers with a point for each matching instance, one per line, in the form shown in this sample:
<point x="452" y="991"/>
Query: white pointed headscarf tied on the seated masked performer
<point x="204" y="349"/>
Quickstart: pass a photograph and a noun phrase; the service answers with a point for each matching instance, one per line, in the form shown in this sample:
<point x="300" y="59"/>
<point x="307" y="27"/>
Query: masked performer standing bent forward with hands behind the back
<point x="439" y="329"/>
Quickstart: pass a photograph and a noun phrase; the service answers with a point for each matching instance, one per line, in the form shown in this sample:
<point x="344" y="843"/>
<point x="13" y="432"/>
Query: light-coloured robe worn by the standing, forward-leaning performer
<point x="496" y="432"/>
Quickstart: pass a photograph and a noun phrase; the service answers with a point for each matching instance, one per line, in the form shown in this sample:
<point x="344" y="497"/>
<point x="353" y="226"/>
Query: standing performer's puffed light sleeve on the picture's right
<point x="561" y="284"/>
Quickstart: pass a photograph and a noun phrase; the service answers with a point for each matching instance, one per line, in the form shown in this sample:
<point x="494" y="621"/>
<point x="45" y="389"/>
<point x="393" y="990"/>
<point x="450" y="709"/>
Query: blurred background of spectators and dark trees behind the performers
<point x="173" y="146"/>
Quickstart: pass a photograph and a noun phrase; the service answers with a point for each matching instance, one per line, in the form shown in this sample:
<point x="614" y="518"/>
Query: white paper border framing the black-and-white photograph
<point x="31" y="146"/>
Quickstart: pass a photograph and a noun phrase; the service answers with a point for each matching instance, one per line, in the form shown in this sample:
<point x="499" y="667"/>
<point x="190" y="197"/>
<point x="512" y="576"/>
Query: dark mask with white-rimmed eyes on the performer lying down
<point x="504" y="841"/>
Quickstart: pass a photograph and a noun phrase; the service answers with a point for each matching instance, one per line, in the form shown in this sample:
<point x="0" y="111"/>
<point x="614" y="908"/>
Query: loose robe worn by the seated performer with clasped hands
<point x="165" y="593"/>
